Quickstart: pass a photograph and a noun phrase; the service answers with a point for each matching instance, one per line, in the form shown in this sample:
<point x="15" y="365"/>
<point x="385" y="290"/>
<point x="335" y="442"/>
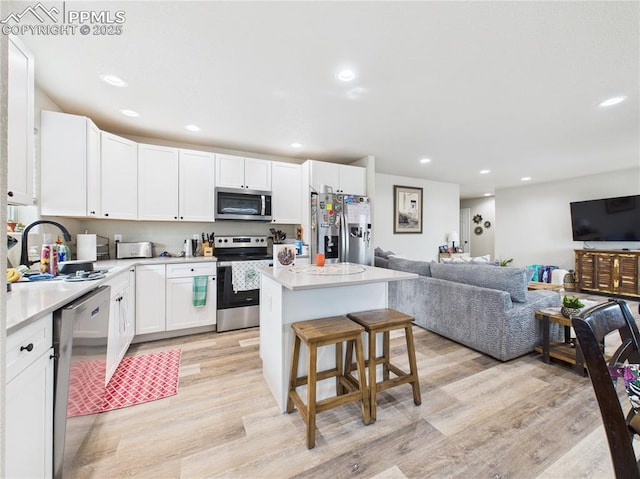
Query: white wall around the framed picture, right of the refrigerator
<point x="440" y="205"/>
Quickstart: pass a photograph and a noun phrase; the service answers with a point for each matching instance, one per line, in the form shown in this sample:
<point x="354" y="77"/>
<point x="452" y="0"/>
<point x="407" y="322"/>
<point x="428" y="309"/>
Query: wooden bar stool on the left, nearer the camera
<point x="323" y="332"/>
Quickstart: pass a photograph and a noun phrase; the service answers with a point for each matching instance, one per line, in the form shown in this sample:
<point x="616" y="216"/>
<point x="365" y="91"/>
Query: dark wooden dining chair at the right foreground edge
<point x="591" y="326"/>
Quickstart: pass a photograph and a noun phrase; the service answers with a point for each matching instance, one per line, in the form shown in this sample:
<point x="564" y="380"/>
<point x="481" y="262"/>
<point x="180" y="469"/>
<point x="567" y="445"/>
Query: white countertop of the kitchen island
<point x="338" y="274"/>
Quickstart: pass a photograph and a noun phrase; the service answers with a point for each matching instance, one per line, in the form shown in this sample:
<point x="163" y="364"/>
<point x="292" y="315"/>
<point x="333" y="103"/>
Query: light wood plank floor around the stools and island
<point x="479" y="418"/>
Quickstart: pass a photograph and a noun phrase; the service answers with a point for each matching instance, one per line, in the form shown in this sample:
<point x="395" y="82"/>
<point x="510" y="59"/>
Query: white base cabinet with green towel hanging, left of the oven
<point x="180" y="310"/>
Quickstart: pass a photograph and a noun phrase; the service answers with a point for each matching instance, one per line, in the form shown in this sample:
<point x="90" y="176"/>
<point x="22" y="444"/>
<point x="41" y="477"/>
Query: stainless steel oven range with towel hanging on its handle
<point x="239" y="257"/>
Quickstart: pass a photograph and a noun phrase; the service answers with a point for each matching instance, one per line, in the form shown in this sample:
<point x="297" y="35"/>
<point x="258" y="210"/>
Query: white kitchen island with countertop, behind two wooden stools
<point x="290" y="294"/>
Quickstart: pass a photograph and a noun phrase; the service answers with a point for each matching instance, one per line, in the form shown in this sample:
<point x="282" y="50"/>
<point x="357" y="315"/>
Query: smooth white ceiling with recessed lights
<point x="513" y="87"/>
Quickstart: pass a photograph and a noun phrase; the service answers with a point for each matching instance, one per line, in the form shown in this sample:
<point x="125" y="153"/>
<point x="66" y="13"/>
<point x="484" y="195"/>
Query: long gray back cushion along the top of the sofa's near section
<point x="512" y="280"/>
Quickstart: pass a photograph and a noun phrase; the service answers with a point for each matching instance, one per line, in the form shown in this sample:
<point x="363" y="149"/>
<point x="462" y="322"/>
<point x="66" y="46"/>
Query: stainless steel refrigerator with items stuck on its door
<point x="341" y="228"/>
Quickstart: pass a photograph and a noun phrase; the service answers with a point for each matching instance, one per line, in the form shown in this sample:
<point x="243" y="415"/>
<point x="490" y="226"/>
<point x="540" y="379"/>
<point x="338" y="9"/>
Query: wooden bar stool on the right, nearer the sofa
<point x="383" y="321"/>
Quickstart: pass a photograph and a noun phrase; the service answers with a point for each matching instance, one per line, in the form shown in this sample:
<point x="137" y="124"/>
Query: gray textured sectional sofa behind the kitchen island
<point x="484" y="307"/>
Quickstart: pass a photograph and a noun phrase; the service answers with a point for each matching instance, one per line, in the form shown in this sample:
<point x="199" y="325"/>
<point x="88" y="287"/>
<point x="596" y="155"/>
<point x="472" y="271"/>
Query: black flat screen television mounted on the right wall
<point x="607" y="219"/>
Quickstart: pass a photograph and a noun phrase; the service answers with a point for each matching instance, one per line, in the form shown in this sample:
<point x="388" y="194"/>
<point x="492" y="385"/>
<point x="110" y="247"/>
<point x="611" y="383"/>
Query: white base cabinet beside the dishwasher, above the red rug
<point x="121" y="322"/>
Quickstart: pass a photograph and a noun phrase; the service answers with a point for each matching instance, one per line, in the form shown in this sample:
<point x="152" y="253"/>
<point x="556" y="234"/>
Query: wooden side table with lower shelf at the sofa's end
<point x="567" y="351"/>
